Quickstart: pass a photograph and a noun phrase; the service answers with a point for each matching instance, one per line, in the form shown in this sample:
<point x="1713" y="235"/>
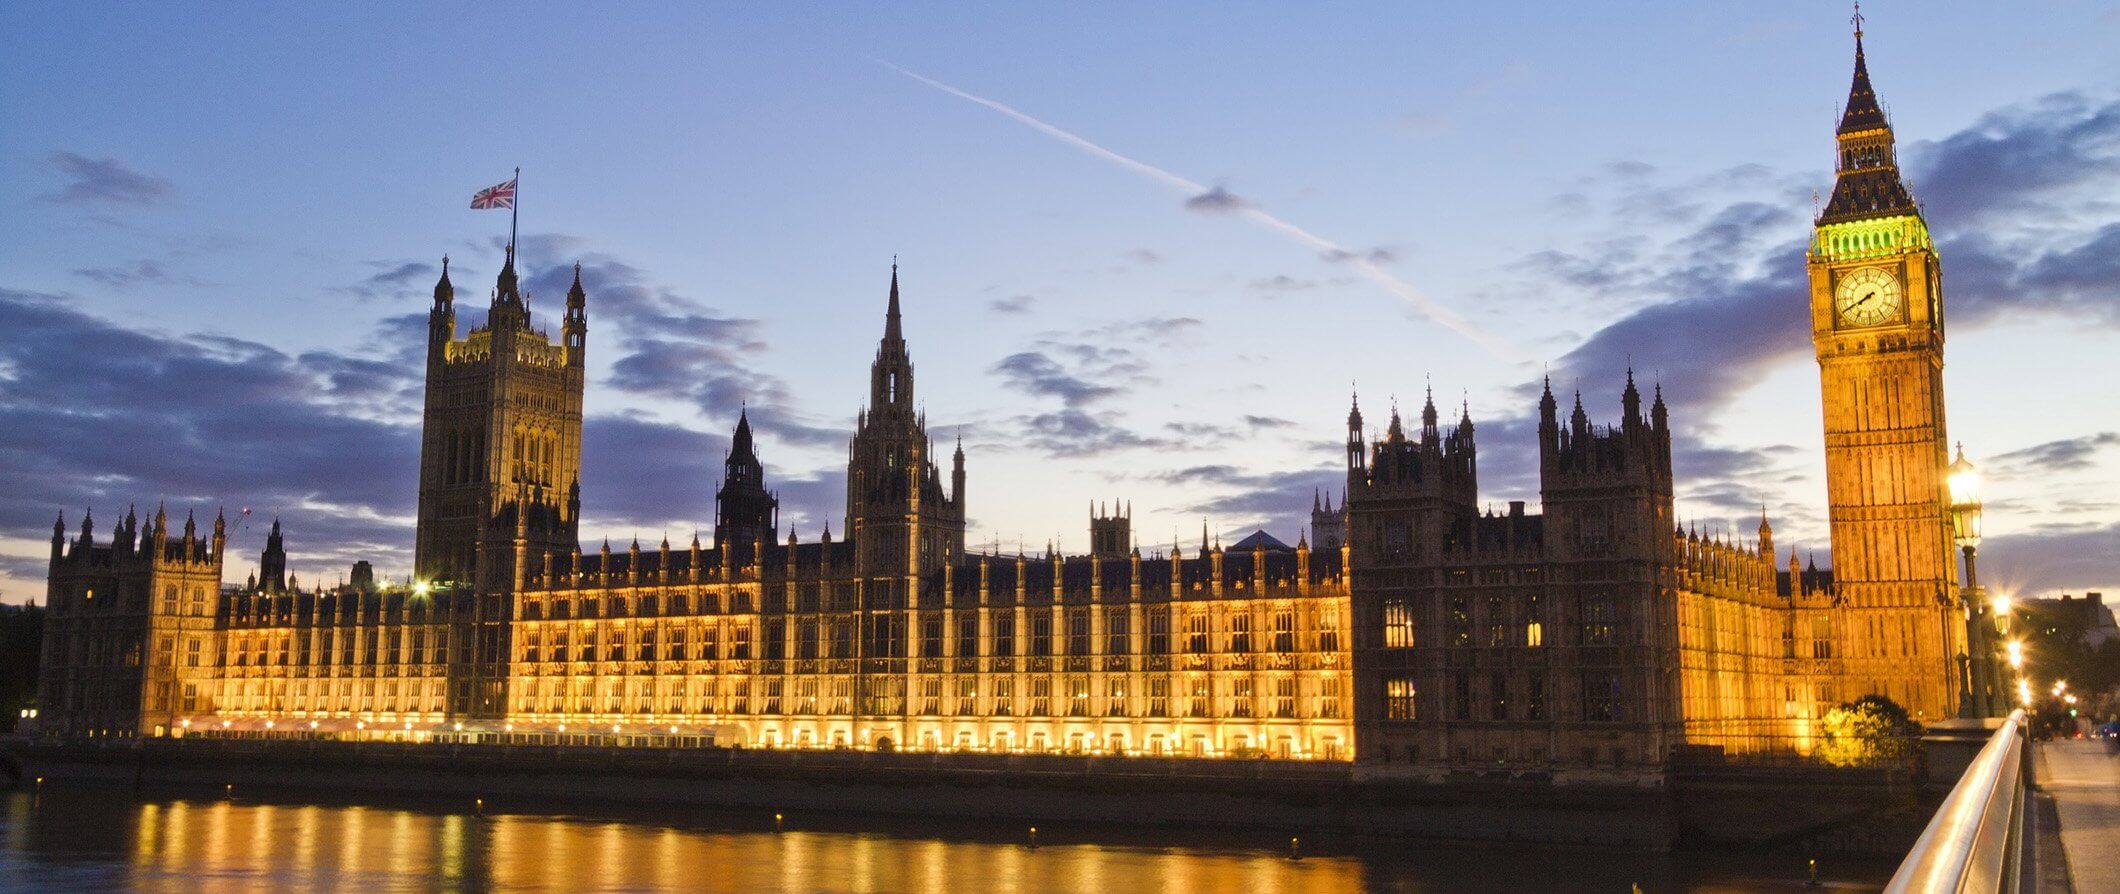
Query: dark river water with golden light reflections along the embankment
<point x="107" y="840"/>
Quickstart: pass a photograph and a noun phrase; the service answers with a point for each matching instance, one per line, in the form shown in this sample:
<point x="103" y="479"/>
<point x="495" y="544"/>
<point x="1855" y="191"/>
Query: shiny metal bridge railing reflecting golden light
<point x="1977" y="840"/>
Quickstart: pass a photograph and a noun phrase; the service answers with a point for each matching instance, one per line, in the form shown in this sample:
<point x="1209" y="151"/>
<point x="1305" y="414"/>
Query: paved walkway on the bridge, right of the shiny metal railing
<point x="2083" y="776"/>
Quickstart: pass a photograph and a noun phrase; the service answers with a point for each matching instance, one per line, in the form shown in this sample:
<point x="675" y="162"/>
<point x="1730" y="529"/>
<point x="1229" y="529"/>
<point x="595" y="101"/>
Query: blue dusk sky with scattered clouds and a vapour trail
<point x="1146" y="251"/>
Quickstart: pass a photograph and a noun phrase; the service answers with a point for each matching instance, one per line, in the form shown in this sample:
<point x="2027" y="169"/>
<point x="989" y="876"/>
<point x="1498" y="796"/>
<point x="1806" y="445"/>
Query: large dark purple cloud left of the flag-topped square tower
<point x="94" y="414"/>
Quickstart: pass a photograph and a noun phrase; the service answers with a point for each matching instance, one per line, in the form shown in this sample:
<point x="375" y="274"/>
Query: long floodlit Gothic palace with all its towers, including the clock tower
<point x="1407" y="630"/>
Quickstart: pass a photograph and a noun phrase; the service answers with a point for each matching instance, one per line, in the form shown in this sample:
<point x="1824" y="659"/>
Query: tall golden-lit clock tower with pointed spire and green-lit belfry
<point x="1877" y="319"/>
